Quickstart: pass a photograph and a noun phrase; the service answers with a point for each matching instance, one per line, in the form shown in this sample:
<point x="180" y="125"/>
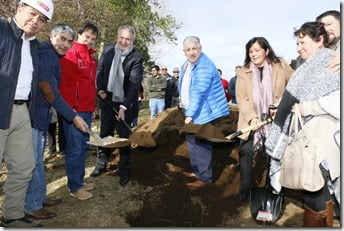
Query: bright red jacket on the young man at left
<point x="78" y="84"/>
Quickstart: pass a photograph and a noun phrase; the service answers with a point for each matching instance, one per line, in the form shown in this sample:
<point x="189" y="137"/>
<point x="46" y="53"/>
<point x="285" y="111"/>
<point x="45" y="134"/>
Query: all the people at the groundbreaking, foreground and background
<point x="62" y="73"/>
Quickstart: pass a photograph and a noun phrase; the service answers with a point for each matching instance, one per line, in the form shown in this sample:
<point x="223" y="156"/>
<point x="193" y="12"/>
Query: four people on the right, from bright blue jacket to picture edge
<point x="266" y="86"/>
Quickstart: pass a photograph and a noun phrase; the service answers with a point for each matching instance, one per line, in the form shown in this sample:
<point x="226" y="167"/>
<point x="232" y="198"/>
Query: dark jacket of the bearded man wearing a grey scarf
<point x="133" y="72"/>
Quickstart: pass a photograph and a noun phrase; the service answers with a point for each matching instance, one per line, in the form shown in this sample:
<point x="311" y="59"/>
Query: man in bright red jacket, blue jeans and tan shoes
<point x="79" y="90"/>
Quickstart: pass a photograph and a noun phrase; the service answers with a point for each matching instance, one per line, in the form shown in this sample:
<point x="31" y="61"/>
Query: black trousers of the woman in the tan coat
<point x="246" y="155"/>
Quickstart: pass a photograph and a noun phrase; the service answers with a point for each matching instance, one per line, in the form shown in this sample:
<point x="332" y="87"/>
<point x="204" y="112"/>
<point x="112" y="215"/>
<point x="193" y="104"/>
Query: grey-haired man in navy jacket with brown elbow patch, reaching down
<point x="49" y="74"/>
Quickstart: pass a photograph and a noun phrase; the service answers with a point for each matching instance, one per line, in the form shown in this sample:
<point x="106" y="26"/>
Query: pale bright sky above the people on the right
<point x="225" y="26"/>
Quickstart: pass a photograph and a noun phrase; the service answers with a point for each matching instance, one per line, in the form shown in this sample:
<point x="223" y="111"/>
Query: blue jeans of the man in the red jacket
<point x="76" y="152"/>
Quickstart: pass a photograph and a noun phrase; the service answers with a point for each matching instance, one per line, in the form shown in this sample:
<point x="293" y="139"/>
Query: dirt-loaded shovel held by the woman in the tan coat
<point x="204" y="133"/>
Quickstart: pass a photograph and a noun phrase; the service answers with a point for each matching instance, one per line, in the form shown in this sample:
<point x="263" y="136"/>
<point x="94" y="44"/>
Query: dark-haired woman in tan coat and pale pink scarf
<point x="260" y="83"/>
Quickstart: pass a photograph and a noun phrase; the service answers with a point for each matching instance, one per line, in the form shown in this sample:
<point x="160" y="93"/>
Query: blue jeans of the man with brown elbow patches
<point x="36" y="192"/>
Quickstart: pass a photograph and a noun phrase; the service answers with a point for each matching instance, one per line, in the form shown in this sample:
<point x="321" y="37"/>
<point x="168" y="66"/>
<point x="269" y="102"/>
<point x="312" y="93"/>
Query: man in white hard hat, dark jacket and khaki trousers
<point x="18" y="77"/>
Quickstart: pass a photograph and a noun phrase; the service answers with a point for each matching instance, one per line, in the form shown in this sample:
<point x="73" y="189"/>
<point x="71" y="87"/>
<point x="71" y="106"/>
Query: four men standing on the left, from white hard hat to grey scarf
<point x="60" y="73"/>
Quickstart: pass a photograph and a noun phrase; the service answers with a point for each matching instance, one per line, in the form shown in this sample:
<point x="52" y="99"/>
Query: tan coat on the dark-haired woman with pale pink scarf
<point x="281" y="72"/>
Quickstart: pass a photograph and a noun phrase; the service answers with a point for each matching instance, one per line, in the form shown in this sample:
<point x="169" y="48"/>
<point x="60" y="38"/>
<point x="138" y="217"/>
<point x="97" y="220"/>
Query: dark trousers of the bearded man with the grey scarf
<point x="108" y="126"/>
